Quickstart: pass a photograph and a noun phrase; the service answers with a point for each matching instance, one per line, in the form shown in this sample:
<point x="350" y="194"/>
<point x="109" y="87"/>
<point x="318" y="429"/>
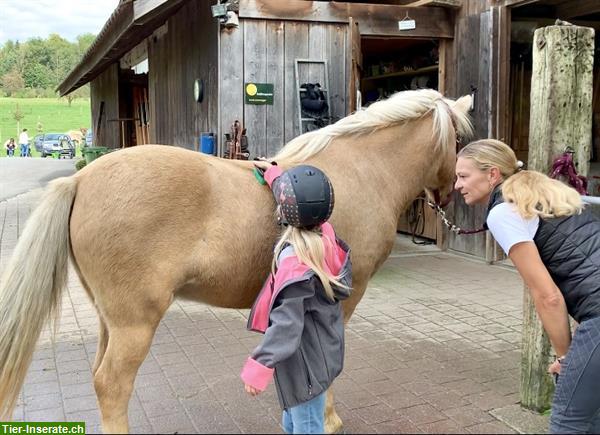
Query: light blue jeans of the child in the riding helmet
<point x="308" y="417"/>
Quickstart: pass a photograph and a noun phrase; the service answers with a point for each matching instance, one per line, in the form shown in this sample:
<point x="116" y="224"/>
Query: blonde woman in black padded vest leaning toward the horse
<point x="555" y="245"/>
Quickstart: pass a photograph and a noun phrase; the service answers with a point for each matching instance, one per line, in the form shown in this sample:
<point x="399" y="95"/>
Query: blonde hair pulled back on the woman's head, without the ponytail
<point x="491" y="153"/>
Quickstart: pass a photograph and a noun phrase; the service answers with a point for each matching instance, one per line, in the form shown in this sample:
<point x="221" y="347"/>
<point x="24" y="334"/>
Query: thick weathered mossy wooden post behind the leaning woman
<point x="561" y="115"/>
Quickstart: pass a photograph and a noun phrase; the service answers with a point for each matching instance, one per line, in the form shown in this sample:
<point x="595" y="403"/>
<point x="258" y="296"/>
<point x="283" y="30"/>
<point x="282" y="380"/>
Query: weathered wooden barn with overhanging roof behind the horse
<point x="169" y="71"/>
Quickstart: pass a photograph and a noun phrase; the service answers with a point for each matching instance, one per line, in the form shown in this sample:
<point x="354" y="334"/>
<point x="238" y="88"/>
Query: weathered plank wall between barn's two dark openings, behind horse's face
<point x="473" y="53"/>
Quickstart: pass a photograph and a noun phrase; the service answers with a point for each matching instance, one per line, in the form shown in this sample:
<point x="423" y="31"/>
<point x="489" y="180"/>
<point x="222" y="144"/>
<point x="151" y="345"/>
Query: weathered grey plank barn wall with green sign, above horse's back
<point x="264" y="51"/>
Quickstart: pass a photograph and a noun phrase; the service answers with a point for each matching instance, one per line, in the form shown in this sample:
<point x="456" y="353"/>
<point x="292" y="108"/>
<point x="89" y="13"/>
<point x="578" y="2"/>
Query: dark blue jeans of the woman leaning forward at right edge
<point x="576" y="404"/>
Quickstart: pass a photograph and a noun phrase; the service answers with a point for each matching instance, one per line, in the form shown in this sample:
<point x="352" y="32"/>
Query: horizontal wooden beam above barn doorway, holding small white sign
<point x="375" y="20"/>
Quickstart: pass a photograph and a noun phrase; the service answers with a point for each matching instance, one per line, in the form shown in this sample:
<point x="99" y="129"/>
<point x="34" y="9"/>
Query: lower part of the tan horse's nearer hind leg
<point x="114" y="378"/>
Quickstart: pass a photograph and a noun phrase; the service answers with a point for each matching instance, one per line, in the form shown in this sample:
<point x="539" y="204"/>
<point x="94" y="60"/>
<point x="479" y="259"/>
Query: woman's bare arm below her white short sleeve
<point x="549" y="301"/>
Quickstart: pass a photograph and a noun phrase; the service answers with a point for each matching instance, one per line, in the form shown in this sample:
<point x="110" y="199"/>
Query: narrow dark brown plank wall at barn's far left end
<point x="104" y="91"/>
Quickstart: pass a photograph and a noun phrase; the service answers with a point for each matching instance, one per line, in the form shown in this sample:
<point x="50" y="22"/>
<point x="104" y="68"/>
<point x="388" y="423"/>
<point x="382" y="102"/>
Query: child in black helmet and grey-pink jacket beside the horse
<point x="299" y="308"/>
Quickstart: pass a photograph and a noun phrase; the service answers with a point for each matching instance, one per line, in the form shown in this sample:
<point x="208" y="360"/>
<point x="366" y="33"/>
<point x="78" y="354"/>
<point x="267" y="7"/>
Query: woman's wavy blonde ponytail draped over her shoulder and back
<point x="536" y="194"/>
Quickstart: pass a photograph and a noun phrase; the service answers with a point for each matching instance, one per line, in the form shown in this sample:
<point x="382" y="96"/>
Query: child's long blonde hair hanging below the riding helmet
<point x="310" y="250"/>
